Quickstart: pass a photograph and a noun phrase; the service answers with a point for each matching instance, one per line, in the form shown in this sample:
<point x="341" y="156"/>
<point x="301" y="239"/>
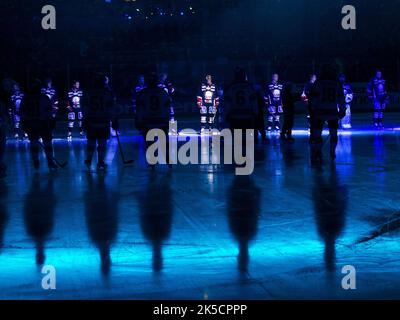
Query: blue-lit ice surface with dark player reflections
<point x="199" y="231"/>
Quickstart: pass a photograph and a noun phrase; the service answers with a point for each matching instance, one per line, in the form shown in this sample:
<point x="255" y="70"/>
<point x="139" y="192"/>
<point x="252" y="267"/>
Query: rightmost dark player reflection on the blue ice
<point x="330" y="203"/>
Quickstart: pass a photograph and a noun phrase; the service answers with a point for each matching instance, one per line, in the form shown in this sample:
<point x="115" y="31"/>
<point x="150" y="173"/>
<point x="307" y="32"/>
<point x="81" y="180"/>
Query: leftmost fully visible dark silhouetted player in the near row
<point x="38" y="122"/>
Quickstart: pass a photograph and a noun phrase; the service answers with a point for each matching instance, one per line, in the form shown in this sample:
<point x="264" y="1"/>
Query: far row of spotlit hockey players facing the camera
<point x="277" y="100"/>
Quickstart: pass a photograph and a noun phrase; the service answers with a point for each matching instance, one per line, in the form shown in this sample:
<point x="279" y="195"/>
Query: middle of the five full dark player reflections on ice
<point x="156" y="213"/>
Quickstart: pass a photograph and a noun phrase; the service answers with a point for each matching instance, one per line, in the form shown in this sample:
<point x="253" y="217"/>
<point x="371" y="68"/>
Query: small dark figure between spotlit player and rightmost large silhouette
<point x="289" y="99"/>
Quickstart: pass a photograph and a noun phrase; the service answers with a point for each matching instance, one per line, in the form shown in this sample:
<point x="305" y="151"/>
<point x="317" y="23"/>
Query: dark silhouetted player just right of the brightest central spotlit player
<point x="241" y="102"/>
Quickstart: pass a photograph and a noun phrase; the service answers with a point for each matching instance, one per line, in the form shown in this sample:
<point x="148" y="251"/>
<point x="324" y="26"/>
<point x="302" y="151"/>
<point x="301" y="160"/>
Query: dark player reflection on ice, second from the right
<point x="244" y="198"/>
